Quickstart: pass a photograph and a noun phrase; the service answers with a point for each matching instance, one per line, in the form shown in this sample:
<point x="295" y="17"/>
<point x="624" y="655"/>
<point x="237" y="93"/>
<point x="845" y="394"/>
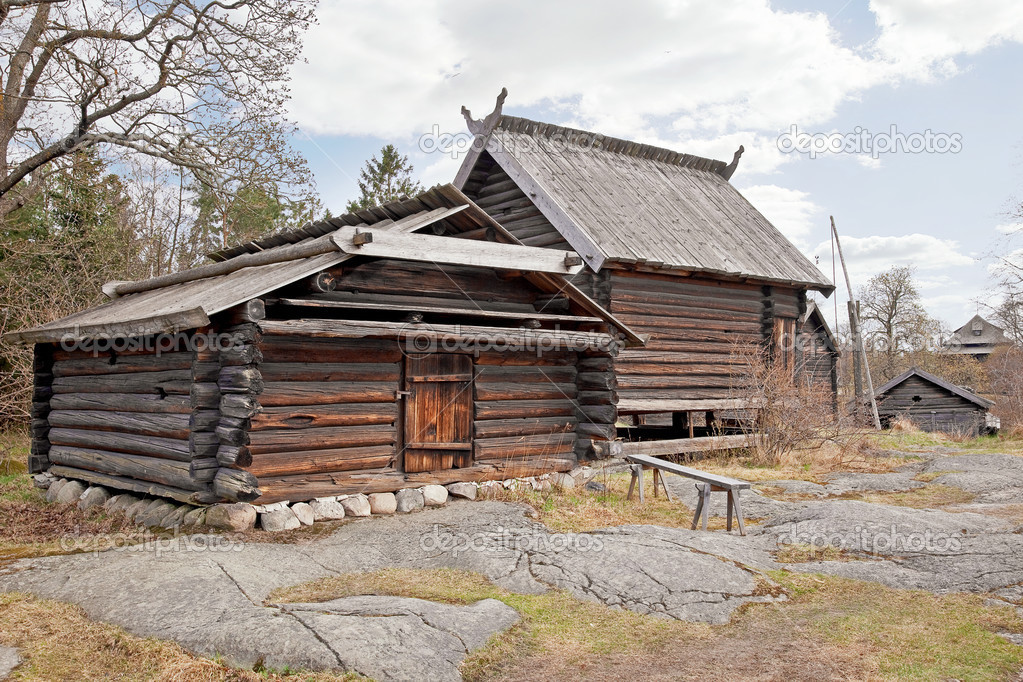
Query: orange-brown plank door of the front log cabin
<point x="438" y="413"/>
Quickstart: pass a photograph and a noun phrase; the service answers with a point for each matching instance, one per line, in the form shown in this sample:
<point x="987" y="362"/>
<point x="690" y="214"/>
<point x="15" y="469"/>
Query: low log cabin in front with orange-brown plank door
<point x="411" y="344"/>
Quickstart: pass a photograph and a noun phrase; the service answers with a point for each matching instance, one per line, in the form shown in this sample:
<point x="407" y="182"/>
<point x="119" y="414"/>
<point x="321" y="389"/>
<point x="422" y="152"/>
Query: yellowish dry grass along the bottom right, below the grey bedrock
<point x="830" y="628"/>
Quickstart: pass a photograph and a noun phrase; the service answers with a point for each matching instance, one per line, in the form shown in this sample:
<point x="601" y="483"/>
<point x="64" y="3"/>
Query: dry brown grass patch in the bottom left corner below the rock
<point x="59" y="643"/>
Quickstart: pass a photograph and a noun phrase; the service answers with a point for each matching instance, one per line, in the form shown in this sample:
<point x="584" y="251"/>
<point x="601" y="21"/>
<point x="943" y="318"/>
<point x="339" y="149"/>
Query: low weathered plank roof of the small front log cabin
<point x="169" y="308"/>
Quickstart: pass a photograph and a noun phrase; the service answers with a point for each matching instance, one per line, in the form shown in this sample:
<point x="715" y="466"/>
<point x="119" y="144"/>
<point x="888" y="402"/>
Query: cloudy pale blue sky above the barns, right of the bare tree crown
<point x="901" y="118"/>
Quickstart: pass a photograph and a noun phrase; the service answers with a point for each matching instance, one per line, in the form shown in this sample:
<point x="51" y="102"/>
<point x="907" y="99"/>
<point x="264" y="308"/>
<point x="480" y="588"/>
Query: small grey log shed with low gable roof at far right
<point x="935" y="405"/>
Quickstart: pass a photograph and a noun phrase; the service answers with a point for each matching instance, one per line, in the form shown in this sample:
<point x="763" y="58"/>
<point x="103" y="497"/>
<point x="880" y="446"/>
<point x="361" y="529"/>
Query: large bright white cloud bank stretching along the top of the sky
<point x="680" y="71"/>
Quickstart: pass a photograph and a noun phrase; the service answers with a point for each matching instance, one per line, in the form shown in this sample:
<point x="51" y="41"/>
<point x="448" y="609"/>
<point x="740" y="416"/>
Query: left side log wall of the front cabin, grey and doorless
<point x="117" y="418"/>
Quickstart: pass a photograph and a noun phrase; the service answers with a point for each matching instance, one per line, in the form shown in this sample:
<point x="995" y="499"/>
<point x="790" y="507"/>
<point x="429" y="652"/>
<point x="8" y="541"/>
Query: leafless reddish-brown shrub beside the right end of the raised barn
<point x="795" y="414"/>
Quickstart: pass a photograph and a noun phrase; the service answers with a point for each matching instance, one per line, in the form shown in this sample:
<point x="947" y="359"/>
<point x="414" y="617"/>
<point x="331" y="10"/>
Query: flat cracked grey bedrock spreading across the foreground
<point x="211" y="598"/>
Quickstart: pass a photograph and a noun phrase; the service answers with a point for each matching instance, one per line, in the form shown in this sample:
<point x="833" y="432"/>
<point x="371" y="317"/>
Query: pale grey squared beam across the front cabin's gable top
<point x="432" y="249"/>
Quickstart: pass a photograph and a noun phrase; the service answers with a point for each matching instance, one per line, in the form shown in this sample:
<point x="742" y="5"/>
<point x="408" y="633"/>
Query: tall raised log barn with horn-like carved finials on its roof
<point x="675" y="252"/>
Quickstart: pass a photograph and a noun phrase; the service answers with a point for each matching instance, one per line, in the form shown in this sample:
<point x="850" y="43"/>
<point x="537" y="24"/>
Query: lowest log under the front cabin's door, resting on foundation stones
<point x="307" y="487"/>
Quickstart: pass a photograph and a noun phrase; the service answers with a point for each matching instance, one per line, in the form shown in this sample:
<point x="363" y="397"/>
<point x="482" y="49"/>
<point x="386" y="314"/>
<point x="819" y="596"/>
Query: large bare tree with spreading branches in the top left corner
<point x="197" y="83"/>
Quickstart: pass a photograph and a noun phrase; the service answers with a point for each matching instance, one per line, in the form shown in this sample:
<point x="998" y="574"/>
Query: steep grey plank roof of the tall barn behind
<point x="621" y="202"/>
